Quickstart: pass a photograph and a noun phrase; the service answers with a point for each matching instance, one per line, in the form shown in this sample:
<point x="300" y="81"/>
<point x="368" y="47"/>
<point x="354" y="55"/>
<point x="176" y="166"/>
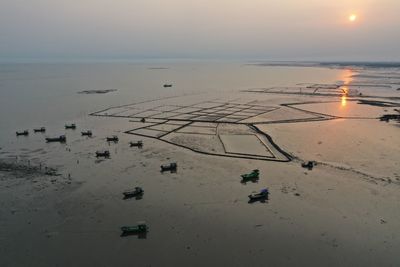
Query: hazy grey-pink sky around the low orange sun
<point x="254" y="29"/>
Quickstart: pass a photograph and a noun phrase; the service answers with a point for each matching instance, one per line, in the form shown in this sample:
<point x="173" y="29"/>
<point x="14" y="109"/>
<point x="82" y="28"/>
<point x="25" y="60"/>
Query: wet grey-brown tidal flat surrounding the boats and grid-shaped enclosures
<point x="344" y="212"/>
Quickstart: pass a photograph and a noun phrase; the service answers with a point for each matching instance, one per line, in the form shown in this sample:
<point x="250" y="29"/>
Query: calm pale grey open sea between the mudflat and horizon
<point x="32" y="95"/>
